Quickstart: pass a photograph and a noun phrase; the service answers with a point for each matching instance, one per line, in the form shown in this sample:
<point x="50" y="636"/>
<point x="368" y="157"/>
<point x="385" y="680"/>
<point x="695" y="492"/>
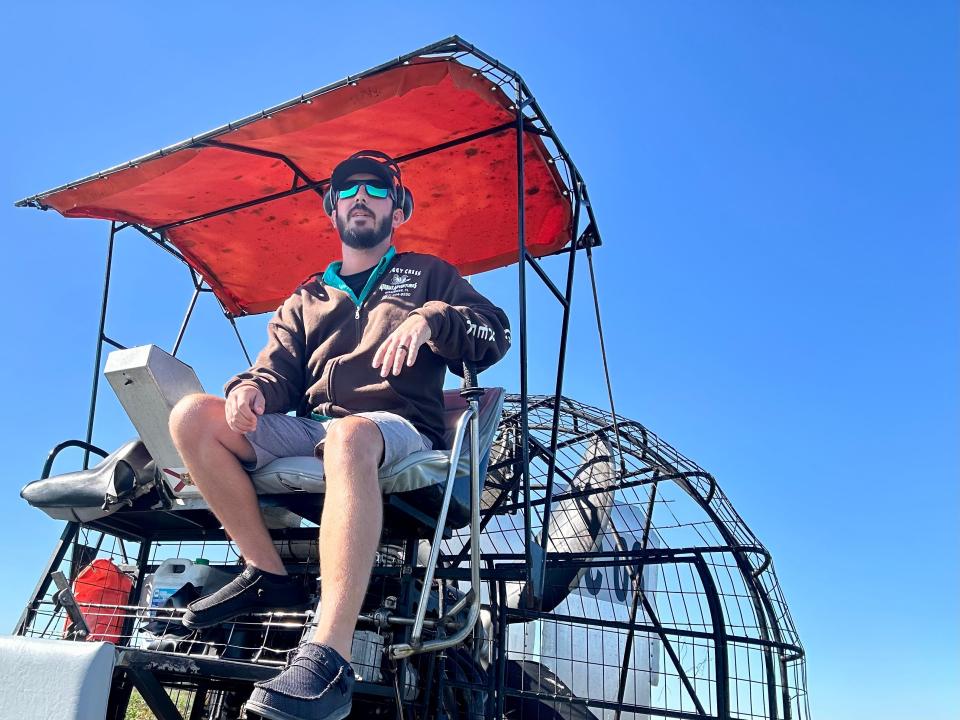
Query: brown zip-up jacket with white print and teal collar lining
<point x="320" y="346"/>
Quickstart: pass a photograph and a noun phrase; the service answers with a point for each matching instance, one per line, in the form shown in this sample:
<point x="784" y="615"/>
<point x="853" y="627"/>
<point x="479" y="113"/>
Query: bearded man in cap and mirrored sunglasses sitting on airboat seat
<point x="359" y="352"/>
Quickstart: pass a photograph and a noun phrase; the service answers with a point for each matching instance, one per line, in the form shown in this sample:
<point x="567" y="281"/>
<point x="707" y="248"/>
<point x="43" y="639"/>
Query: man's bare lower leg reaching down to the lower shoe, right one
<point x="349" y="528"/>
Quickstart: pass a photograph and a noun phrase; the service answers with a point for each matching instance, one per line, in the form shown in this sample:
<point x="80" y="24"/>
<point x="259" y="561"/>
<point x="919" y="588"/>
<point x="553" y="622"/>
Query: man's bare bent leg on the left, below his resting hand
<point x="212" y="453"/>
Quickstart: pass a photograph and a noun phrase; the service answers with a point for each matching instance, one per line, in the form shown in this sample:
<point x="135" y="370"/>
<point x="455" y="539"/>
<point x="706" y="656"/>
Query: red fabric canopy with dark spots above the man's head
<point x="253" y="257"/>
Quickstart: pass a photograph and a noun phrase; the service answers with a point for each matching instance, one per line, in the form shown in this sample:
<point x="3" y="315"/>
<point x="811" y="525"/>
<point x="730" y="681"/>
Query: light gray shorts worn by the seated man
<point x="279" y="436"/>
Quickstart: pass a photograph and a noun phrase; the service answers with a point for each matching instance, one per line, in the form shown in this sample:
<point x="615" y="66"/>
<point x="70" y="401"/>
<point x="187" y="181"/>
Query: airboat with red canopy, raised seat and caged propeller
<point x="558" y="561"/>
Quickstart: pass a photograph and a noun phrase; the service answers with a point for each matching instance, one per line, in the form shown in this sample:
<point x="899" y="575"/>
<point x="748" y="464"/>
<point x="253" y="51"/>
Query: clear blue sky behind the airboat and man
<point x="777" y="189"/>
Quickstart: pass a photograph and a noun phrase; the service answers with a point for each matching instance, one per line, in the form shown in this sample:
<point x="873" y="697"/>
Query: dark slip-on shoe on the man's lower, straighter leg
<point x="317" y="685"/>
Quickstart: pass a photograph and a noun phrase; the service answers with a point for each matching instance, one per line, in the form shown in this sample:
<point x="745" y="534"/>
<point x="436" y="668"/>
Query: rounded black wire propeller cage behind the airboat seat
<point x="657" y="599"/>
